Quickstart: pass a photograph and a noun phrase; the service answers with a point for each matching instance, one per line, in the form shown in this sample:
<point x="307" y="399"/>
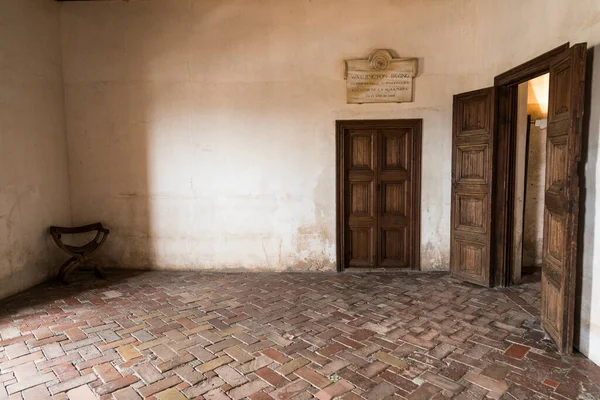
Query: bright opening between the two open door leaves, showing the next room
<point x="529" y="181"/>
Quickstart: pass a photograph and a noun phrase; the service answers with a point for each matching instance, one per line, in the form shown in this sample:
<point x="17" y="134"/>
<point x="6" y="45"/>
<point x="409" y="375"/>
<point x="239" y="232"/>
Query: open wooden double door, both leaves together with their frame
<point x="484" y="141"/>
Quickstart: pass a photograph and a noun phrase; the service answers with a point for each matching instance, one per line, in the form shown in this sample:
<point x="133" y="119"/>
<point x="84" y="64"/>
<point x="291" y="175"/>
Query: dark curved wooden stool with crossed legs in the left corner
<point x="80" y="255"/>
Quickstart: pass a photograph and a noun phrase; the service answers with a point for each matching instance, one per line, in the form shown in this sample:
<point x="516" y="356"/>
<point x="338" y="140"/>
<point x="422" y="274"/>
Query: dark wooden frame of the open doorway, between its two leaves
<point x="504" y="171"/>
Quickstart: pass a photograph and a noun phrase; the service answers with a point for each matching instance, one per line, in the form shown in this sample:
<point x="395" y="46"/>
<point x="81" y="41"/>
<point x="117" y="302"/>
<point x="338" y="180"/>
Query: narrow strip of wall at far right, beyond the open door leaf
<point x="586" y="256"/>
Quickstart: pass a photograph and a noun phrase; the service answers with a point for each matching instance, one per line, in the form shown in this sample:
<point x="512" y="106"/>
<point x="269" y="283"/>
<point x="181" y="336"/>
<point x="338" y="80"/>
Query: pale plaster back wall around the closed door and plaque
<point x="202" y="132"/>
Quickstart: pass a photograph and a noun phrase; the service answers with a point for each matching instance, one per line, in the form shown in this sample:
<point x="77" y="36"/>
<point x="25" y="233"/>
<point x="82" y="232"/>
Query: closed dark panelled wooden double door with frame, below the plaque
<point x="379" y="193"/>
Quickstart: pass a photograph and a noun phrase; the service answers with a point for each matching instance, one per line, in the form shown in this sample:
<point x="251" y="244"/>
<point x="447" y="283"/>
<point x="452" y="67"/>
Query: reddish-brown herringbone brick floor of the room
<point x="181" y="335"/>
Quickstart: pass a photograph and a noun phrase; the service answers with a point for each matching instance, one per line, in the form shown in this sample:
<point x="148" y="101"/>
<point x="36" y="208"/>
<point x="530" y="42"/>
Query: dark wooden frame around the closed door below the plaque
<point x="341" y="126"/>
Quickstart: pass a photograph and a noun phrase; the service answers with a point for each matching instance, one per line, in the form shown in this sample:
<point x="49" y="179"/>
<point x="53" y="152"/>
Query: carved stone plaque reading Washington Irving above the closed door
<point x="380" y="79"/>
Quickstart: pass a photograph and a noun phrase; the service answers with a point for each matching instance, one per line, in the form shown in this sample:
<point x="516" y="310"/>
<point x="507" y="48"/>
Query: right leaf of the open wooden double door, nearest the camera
<point x="565" y="111"/>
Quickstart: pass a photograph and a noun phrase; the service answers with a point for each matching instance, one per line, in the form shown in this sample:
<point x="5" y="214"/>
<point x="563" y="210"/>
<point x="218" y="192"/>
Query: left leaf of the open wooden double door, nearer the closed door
<point x="472" y="161"/>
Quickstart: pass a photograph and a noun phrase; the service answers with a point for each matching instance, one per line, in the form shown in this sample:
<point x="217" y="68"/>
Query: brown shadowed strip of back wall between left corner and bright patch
<point x="109" y="127"/>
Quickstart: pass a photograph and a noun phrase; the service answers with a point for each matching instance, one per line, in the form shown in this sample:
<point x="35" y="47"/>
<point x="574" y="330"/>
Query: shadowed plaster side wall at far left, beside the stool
<point x="34" y="186"/>
